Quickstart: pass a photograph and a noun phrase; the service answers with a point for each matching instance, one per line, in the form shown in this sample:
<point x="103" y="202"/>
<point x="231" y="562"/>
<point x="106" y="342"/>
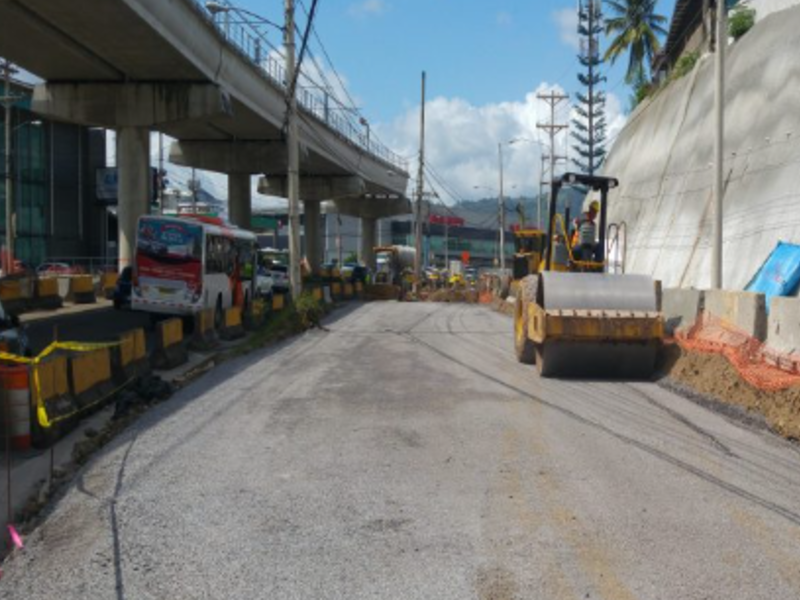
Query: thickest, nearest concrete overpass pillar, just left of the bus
<point x="133" y="162"/>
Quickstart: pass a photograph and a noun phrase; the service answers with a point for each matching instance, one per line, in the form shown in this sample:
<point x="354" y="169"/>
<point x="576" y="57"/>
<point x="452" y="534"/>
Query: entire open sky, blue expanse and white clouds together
<point x="485" y="61"/>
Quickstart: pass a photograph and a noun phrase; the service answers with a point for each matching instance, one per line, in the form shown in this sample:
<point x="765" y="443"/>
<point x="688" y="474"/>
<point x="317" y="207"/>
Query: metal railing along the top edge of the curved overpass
<point x="313" y="100"/>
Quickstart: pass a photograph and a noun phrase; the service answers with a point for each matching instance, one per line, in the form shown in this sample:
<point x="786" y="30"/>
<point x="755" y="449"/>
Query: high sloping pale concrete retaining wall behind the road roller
<point x="664" y="154"/>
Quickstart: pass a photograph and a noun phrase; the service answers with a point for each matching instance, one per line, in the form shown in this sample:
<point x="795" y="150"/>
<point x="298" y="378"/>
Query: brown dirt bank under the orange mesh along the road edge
<point x="712" y="376"/>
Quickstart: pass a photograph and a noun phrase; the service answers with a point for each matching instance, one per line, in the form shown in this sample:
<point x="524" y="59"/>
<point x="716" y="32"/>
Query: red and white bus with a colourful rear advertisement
<point x="183" y="265"/>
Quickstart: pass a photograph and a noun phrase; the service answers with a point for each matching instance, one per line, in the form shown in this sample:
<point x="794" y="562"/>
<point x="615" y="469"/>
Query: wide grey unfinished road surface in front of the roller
<point x="404" y="454"/>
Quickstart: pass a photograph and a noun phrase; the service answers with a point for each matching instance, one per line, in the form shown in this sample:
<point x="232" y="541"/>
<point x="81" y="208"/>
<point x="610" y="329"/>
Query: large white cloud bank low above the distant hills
<point x="461" y="141"/>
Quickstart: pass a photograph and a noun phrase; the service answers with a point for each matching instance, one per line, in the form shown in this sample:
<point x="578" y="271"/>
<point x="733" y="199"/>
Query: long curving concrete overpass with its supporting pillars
<point x="142" y="65"/>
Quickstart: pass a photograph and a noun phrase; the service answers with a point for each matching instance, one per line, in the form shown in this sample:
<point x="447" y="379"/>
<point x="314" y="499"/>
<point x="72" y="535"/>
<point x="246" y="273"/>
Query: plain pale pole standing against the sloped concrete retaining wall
<point x="719" y="143"/>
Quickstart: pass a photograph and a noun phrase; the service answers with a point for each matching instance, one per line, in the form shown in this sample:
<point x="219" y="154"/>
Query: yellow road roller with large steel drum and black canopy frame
<point x="571" y="316"/>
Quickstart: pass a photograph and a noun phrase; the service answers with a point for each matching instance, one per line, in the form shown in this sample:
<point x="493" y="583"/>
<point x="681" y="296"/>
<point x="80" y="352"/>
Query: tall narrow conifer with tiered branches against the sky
<point x="589" y="126"/>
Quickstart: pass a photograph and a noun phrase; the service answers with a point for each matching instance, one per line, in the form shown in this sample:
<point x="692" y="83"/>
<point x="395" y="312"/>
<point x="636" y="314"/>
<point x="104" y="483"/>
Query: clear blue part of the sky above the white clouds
<point x="484" y="51"/>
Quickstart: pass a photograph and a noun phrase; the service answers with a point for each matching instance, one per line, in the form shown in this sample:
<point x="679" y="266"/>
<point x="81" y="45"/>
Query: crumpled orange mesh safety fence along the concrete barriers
<point x="760" y="366"/>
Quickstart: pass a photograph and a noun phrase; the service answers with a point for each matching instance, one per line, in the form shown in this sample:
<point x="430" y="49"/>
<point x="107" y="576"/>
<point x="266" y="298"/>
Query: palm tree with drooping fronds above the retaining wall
<point x="637" y="28"/>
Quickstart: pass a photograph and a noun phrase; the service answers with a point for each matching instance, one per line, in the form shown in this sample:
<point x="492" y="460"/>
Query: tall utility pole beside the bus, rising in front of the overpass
<point x="293" y="174"/>
